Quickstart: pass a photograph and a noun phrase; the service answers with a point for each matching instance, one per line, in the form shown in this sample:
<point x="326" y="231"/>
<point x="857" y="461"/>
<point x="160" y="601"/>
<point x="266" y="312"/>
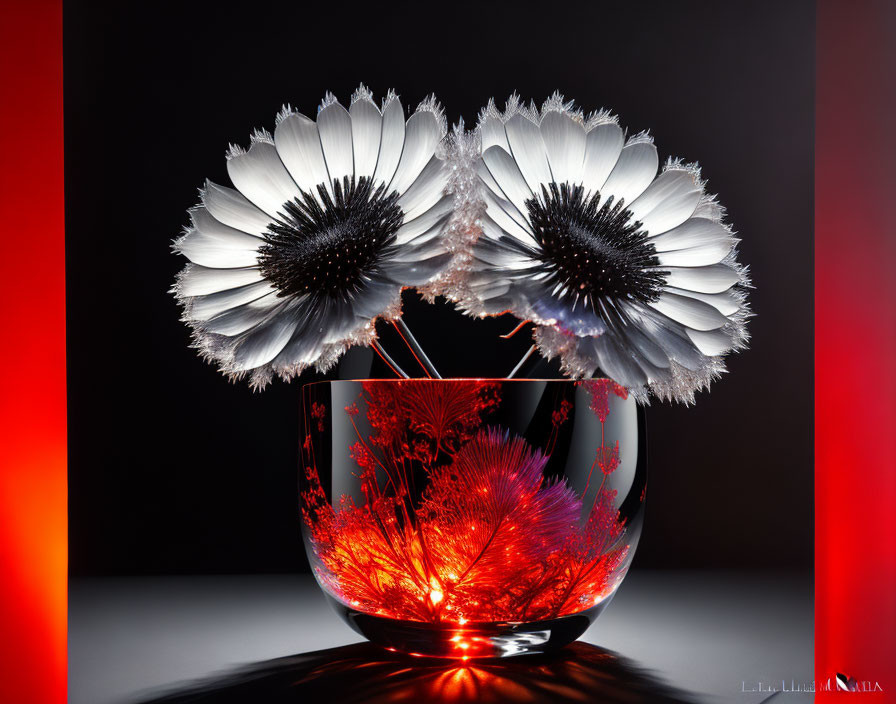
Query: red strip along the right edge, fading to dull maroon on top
<point x="855" y="343"/>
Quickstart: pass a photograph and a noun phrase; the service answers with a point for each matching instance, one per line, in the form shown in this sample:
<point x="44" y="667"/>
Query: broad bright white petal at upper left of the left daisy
<point x="260" y="176"/>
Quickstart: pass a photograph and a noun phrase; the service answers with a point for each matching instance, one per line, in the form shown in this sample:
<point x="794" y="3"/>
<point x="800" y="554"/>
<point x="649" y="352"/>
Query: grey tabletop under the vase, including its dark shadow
<point x="668" y="636"/>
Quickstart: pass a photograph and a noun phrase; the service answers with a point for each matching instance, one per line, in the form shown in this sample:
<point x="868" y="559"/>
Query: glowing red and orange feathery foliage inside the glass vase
<point x="487" y="539"/>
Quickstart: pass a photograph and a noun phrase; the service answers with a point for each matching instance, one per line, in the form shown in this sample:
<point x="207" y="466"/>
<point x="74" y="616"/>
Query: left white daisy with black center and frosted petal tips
<point x="328" y="222"/>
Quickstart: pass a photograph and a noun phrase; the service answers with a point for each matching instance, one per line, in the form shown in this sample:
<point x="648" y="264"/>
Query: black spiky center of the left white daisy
<point x="329" y="244"/>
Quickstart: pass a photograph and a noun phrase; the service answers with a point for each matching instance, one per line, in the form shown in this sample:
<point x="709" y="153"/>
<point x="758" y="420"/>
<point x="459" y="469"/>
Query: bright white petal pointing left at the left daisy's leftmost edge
<point x="213" y="244"/>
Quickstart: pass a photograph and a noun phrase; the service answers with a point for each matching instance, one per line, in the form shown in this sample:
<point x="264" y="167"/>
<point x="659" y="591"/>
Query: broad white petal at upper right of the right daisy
<point x="668" y="201"/>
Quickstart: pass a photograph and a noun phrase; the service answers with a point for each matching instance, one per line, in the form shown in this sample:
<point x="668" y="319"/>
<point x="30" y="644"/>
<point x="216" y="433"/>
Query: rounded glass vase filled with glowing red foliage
<point x="471" y="517"/>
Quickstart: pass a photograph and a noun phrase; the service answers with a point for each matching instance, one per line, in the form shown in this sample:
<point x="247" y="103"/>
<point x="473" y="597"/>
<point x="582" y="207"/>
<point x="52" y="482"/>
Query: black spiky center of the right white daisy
<point x="594" y="250"/>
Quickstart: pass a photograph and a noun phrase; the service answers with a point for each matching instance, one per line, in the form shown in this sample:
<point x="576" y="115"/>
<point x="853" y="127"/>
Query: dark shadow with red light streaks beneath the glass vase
<point x="366" y="673"/>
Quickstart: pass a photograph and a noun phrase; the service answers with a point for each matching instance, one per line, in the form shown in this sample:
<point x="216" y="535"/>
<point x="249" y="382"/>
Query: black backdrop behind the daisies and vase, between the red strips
<point x="172" y="469"/>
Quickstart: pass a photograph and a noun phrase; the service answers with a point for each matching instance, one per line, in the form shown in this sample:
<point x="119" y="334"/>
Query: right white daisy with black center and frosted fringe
<point x="621" y="269"/>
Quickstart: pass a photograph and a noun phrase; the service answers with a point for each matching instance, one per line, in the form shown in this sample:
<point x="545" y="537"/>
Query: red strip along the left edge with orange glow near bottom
<point x="33" y="512"/>
